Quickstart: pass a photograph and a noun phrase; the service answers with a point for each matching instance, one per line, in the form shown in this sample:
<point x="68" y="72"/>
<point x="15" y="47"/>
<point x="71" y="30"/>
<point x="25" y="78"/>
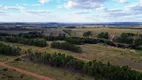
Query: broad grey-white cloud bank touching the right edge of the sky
<point x="130" y="10"/>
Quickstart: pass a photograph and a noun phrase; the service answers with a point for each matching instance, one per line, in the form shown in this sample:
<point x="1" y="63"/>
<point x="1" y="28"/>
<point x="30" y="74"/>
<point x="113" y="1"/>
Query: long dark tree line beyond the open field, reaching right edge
<point x="133" y="43"/>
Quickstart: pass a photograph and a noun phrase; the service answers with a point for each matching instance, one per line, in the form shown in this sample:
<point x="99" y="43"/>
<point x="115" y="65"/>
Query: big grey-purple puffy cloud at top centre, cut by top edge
<point x="84" y="4"/>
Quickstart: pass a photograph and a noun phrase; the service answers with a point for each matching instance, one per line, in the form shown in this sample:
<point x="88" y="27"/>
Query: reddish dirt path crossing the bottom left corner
<point x="26" y="72"/>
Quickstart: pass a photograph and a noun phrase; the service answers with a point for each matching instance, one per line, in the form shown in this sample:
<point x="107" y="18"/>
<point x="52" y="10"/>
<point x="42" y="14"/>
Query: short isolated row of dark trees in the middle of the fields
<point x="66" y="46"/>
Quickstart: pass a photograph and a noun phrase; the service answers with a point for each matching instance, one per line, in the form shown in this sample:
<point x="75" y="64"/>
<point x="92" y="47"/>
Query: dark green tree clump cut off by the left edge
<point x="9" y="50"/>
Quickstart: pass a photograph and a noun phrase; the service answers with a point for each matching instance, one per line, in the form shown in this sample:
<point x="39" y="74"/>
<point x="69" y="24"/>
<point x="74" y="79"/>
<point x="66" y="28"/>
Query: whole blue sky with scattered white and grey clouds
<point x="74" y="11"/>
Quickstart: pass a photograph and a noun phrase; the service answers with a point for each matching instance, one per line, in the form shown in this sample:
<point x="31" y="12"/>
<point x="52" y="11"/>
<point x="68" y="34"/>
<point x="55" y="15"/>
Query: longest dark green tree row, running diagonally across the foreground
<point x="92" y="68"/>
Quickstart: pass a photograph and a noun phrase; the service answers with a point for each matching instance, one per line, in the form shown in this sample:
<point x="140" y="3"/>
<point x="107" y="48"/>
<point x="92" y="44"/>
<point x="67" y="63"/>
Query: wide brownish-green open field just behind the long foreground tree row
<point x="99" y="52"/>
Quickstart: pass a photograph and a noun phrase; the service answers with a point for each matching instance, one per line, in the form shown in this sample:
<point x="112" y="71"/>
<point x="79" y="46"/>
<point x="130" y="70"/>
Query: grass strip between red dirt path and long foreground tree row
<point x="56" y="73"/>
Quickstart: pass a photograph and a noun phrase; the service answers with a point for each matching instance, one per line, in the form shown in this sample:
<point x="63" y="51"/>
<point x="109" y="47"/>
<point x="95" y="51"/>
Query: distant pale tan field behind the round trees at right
<point x="80" y="31"/>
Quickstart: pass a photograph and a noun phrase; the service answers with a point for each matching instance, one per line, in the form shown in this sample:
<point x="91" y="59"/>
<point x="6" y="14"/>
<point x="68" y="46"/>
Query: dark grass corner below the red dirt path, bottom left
<point x="6" y="74"/>
